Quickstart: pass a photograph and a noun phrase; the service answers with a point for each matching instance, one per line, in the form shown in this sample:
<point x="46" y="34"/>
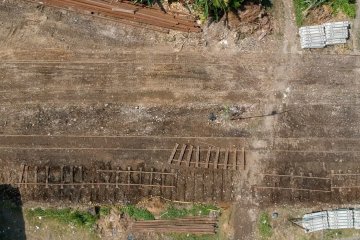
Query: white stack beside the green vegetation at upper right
<point x="319" y="36"/>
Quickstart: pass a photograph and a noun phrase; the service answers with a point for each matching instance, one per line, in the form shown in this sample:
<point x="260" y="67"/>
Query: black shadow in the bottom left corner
<point x="12" y="224"/>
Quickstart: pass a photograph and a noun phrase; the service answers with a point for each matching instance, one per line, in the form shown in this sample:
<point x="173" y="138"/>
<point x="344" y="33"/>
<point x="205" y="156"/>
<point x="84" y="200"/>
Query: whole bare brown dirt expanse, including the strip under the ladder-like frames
<point x="80" y="96"/>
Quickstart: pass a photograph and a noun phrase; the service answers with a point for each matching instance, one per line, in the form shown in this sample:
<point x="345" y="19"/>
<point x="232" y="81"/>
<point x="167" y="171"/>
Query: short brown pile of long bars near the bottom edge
<point x="196" y="225"/>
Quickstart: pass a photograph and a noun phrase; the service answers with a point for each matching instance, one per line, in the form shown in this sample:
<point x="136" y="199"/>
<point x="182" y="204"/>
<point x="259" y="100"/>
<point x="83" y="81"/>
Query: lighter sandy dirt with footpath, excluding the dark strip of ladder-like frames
<point x="77" y="92"/>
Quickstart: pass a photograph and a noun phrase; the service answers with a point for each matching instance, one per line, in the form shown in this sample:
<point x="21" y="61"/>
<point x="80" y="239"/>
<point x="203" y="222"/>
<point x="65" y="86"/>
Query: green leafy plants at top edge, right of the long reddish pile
<point x="215" y="8"/>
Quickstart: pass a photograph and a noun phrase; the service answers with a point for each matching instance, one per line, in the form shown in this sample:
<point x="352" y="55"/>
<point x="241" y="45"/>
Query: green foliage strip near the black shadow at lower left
<point x="65" y="215"/>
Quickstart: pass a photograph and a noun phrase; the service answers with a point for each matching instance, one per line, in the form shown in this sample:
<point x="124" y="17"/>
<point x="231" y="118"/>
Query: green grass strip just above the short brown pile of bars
<point x="196" y="210"/>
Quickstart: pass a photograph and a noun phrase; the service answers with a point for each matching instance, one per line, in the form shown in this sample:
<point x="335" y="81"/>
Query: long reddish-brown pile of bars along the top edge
<point x="127" y="12"/>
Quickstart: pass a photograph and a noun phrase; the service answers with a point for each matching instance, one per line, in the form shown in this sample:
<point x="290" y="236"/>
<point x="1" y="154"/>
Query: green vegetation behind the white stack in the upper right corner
<point x="302" y="8"/>
